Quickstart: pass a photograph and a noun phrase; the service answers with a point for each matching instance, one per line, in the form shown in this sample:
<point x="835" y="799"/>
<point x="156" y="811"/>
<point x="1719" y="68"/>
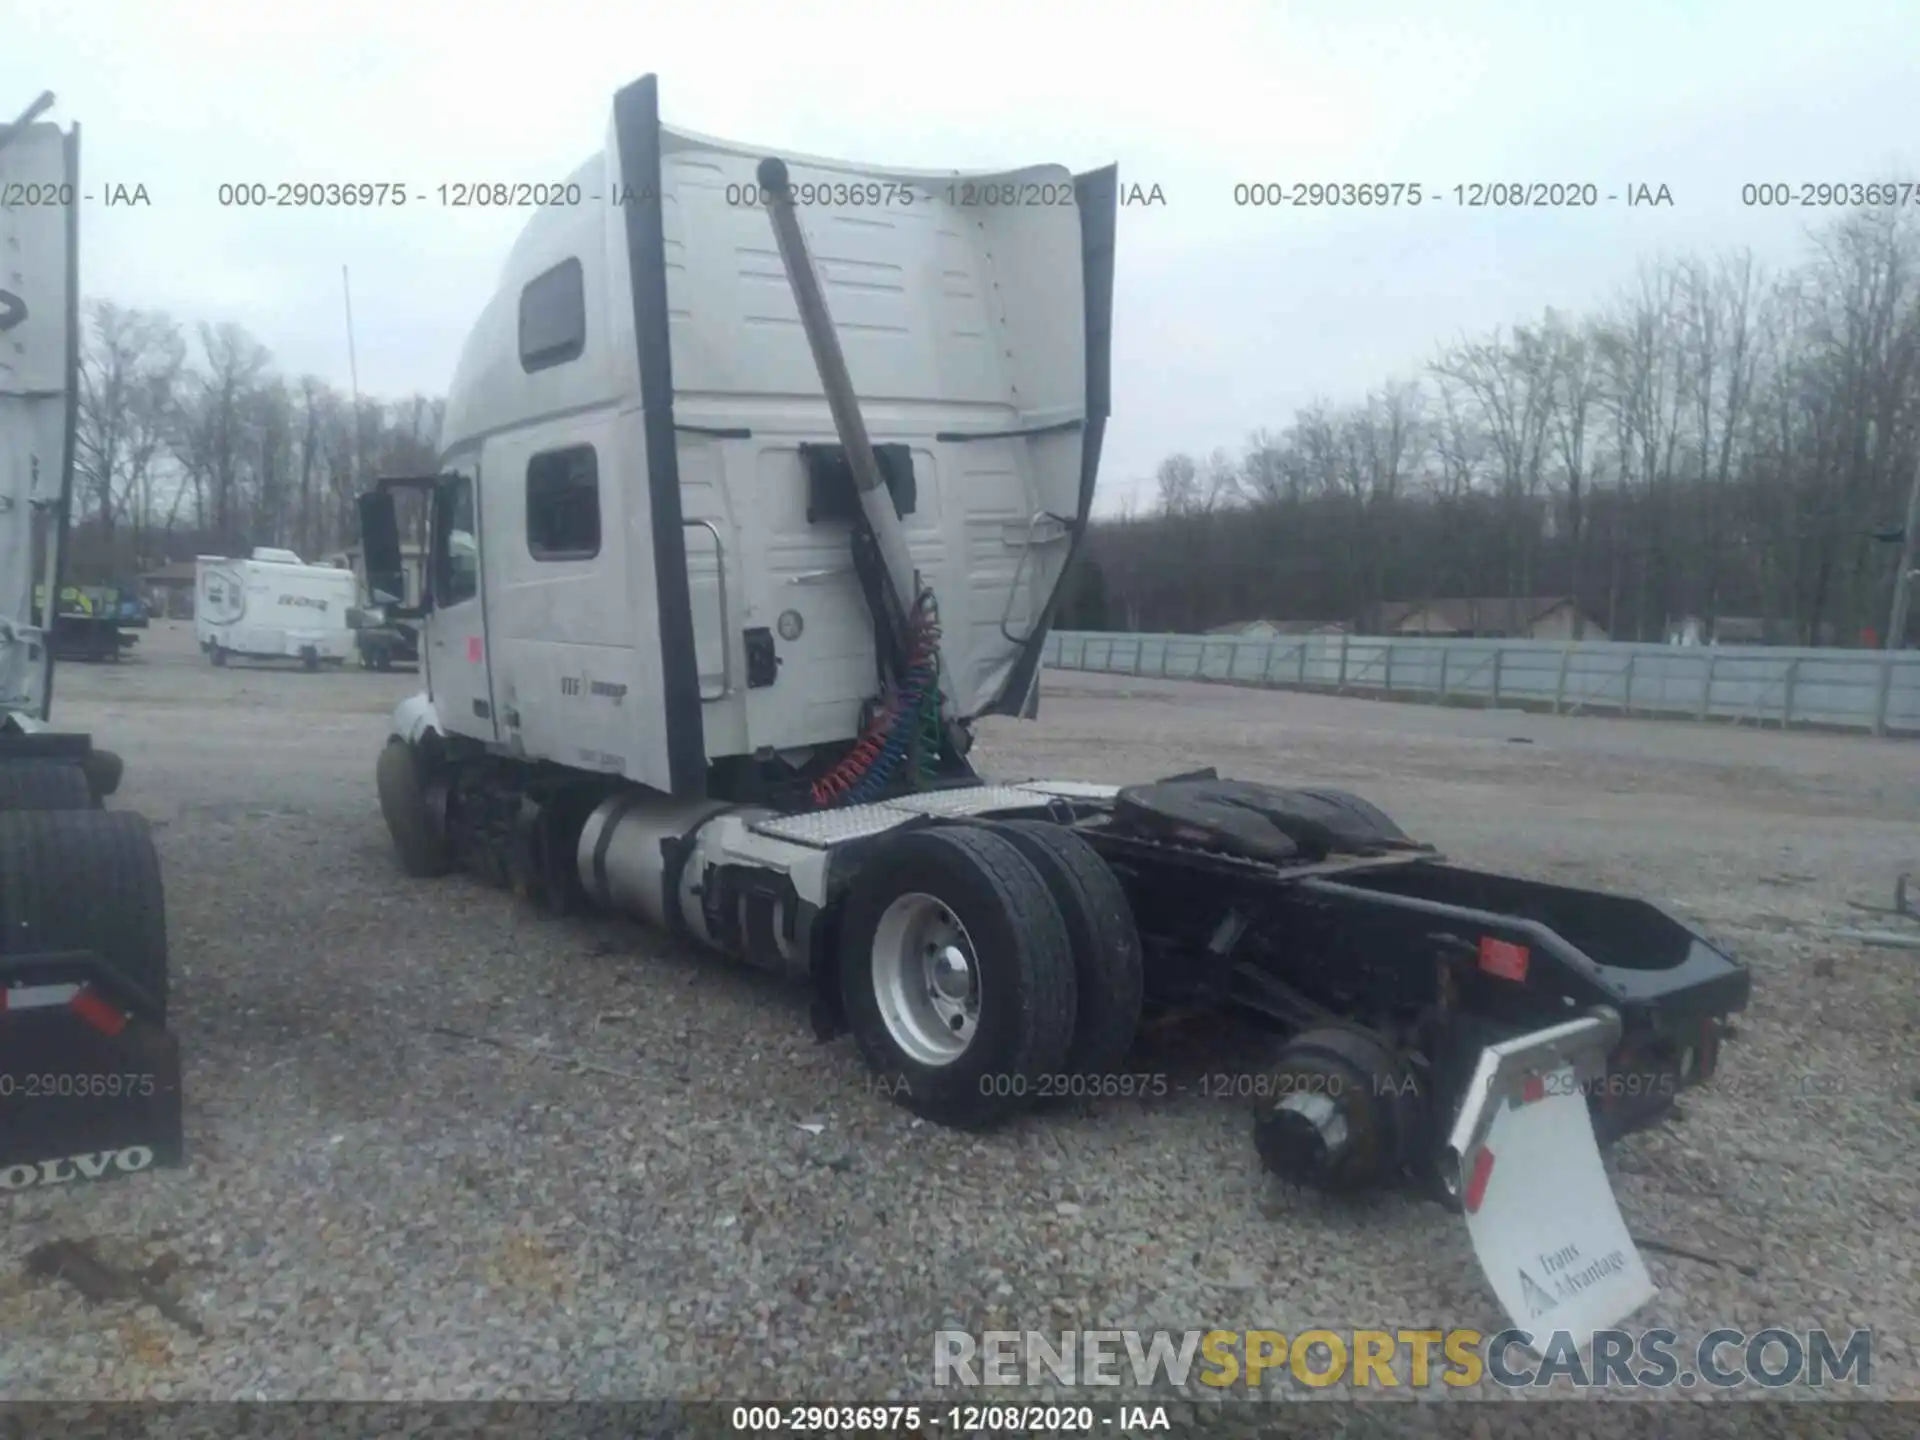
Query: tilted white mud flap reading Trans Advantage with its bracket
<point x="1525" y="1166"/>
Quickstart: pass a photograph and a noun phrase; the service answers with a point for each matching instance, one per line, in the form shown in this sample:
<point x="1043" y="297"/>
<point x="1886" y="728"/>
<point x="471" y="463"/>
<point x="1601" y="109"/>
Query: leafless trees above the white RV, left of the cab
<point x="193" y="444"/>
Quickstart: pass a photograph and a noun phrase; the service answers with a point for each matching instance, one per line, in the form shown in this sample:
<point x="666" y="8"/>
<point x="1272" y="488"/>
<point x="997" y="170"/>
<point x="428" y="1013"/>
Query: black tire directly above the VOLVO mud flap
<point x="85" y="880"/>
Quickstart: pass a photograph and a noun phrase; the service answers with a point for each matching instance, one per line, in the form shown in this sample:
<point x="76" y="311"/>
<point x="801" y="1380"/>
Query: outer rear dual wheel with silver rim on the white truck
<point x="957" y="974"/>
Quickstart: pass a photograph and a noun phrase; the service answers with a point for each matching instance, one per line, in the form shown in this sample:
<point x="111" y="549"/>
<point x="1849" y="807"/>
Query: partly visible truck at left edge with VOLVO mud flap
<point x="89" y="1072"/>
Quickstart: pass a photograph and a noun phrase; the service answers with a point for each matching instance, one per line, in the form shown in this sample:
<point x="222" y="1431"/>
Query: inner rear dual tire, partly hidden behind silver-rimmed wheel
<point x="1107" y="946"/>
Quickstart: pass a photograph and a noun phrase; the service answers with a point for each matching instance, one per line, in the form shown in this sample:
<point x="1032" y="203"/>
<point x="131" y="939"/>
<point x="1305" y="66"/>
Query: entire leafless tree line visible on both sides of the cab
<point x="1717" y="441"/>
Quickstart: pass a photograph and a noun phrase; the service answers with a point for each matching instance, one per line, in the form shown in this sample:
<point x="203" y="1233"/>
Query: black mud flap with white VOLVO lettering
<point x="89" y="1092"/>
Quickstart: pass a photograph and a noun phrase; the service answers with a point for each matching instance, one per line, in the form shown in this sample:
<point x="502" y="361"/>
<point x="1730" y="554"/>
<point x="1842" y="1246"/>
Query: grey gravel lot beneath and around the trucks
<point x="375" y="1211"/>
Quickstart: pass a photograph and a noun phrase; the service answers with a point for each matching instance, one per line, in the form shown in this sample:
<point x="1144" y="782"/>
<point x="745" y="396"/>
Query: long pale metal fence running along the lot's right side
<point x="1877" y="692"/>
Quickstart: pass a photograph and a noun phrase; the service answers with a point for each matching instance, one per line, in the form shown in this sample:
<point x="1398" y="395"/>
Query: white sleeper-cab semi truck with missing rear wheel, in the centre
<point x="759" y="483"/>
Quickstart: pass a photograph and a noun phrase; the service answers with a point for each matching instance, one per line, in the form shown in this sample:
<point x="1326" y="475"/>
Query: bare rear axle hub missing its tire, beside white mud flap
<point x="1343" y="1113"/>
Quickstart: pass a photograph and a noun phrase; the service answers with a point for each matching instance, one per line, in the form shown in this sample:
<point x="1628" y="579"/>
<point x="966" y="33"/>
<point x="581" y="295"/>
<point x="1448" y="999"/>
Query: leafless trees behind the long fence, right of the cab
<point x="1714" y="443"/>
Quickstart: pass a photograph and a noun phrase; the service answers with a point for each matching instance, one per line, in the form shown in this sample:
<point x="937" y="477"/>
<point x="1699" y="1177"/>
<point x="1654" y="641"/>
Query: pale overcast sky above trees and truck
<point x="1226" y="318"/>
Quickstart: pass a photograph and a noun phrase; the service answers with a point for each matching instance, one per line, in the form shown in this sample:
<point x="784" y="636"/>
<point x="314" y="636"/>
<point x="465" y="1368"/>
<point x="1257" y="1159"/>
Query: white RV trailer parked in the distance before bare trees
<point x="274" y="606"/>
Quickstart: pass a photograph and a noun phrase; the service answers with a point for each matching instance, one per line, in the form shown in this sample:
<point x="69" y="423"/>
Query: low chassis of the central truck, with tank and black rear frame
<point x="1414" y="967"/>
